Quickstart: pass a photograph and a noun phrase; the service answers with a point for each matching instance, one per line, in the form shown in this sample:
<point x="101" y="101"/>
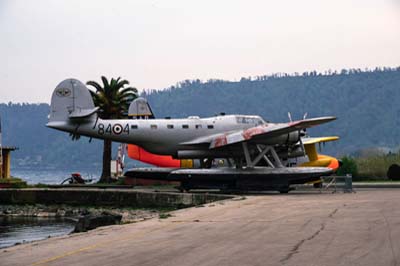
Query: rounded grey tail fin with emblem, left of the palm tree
<point x="71" y="99"/>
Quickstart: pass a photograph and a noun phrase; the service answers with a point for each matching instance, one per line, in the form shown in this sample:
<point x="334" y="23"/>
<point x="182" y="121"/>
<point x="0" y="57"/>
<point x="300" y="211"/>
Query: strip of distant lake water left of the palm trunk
<point x="53" y="176"/>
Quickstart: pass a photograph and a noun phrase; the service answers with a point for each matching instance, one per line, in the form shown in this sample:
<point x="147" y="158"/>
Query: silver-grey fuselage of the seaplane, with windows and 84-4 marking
<point x="167" y="136"/>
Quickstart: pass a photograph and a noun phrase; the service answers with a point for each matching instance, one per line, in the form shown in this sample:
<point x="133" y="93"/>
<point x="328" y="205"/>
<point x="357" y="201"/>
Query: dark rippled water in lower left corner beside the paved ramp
<point x="15" y="230"/>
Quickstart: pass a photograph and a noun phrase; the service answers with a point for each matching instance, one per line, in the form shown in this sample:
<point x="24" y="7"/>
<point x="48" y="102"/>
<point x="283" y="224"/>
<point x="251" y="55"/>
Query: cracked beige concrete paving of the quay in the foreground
<point x="300" y="228"/>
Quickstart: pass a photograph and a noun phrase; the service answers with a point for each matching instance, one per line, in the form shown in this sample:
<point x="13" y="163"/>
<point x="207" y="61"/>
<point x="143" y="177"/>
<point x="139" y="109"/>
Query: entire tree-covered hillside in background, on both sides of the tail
<point x="365" y="102"/>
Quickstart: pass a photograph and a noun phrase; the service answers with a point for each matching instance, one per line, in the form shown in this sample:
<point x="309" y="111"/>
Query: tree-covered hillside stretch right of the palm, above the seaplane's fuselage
<point x="366" y="103"/>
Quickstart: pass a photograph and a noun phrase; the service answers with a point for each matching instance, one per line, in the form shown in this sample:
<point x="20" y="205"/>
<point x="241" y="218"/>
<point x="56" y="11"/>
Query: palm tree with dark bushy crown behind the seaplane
<point x="113" y="98"/>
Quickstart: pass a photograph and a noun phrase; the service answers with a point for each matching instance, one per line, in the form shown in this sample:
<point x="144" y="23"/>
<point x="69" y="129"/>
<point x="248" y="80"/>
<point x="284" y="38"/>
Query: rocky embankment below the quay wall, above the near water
<point x="86" y="218"/>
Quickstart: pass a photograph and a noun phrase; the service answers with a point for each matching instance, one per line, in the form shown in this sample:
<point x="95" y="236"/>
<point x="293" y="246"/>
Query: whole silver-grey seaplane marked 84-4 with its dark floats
<point x="256" y="151"/>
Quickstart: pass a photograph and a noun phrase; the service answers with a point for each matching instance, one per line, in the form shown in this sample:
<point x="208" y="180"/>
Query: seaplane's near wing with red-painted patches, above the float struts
<point x="265" y="131"/>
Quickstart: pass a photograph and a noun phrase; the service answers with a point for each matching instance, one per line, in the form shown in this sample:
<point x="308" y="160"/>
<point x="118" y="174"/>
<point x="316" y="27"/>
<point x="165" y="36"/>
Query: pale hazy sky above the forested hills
<point x="155" y="44"/>
